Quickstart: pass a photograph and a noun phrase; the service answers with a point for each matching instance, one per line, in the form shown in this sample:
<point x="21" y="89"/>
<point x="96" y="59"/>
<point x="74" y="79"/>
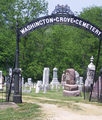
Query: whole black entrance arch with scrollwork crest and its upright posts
<point x="62" y="15"/>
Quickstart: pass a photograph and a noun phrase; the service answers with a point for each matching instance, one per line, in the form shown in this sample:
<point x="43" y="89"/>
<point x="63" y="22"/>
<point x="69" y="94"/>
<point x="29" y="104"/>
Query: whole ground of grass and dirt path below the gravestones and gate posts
<point x="51" y="106"/>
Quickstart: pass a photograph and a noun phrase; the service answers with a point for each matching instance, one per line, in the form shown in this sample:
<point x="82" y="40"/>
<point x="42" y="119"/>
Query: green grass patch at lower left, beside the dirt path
<point x="25" y="111"/>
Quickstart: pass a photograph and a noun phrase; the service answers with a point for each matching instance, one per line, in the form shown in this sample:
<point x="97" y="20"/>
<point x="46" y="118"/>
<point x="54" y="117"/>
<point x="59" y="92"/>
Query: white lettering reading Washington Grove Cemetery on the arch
<point x="60" y="19"/>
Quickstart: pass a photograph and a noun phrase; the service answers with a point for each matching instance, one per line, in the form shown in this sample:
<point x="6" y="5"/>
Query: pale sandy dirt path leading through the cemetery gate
<point x="83" y="111"/>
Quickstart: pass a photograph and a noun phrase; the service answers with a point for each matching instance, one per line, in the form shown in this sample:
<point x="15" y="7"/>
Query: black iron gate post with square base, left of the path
<point x="17" y="97"/>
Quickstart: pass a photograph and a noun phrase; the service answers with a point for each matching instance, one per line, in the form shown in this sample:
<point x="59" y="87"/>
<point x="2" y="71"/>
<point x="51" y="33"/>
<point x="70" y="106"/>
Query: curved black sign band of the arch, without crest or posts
<point x="60" y="19"/>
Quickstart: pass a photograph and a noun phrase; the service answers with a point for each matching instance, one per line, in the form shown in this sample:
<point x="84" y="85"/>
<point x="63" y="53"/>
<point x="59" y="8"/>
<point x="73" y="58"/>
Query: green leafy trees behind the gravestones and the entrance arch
<point x="57" y="46"/>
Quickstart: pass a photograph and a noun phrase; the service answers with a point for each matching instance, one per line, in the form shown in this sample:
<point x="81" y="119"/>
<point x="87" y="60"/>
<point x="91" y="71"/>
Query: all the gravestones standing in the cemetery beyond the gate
<point x="71" y="82"/>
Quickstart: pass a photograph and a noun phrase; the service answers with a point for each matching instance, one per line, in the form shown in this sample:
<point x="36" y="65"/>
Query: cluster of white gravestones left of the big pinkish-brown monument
<point x="42" y="85"/>
